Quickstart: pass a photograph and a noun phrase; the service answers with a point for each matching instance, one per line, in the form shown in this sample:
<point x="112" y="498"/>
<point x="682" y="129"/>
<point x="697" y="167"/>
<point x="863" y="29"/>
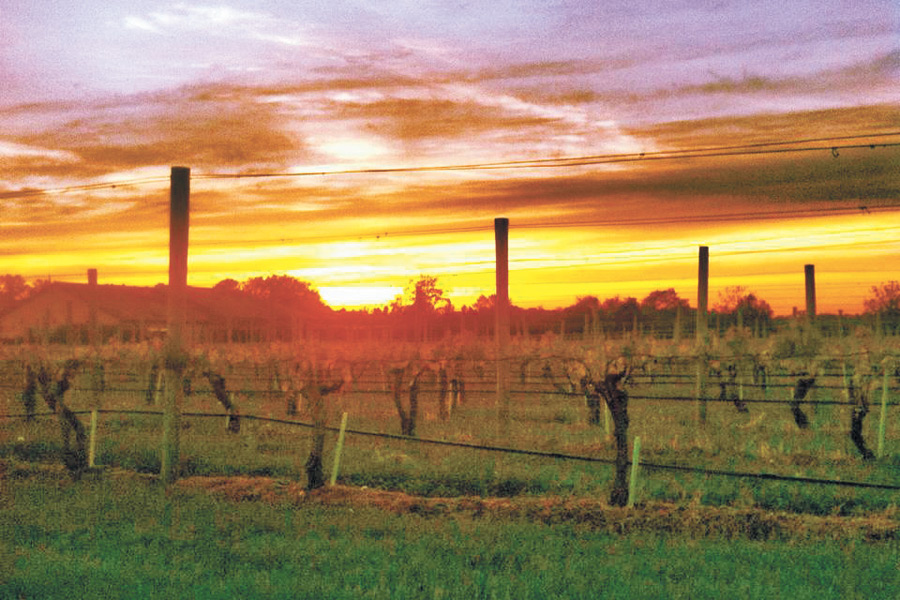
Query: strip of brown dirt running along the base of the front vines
<point x="690" y="520"/>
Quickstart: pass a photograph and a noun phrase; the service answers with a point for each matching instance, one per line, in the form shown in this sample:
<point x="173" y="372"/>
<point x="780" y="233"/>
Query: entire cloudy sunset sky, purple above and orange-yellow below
<point x="118" y="92"/>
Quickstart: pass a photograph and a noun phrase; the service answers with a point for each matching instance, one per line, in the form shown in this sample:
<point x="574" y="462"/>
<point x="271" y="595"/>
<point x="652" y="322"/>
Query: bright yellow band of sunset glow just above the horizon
<point x="549" y="266"/>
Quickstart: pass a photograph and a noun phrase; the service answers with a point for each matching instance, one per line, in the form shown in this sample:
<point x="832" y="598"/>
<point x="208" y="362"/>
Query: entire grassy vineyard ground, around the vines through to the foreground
<point x="123" y="536"/>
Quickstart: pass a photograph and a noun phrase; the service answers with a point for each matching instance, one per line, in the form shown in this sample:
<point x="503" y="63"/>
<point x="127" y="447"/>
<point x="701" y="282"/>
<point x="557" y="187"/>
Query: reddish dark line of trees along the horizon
<point x="425" y="309"/>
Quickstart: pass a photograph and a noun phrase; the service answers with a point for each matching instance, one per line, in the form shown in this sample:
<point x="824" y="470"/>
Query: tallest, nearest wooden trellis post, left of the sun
<point x="175" y="357"/>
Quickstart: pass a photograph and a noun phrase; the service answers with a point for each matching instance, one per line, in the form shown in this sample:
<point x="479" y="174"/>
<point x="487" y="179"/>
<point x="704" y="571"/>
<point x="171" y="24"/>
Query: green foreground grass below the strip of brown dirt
<point x="111" y="538"/>
